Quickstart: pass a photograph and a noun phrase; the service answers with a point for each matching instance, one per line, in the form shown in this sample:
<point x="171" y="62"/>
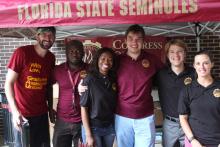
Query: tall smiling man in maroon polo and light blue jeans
<point x="134" y="121"/>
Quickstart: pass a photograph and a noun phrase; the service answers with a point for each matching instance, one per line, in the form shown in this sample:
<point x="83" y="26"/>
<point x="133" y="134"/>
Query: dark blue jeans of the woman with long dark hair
<point x="104" y="136"/>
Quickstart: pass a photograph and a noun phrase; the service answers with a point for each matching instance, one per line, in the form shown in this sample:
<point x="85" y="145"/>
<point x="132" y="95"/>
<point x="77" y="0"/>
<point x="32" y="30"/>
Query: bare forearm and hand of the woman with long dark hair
<point x="85" y="120"/>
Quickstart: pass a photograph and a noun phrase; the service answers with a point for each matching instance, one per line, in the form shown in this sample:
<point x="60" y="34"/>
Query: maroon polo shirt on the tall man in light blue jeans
<point x="134" y="83"/>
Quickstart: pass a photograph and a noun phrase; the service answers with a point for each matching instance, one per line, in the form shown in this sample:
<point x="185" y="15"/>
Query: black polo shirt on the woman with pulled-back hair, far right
<point x="202" y="104"/>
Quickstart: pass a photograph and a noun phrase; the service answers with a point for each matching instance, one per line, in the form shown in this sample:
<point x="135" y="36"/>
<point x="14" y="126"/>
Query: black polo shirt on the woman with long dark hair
<point x="100" y="98"/>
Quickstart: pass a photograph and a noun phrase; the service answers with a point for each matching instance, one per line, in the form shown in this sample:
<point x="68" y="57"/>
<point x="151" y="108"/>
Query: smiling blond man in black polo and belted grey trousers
<point x="170" y="80"/>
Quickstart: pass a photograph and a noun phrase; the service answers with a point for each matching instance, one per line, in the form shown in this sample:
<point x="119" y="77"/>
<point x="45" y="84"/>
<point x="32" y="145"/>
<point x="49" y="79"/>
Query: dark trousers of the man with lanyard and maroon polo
<point x="65" y="133"/>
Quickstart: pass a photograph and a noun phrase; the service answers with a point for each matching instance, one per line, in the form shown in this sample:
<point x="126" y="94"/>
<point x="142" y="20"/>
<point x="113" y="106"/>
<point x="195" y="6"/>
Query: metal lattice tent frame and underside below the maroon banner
<point x="165" y="29"/>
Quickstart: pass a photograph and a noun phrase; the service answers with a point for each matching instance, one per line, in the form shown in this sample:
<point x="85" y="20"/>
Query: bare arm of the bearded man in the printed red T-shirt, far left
<point x="11" y="77"/>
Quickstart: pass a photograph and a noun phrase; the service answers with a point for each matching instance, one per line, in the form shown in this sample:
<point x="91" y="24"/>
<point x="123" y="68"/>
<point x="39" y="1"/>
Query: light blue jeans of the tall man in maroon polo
<point x="135" y="132"/>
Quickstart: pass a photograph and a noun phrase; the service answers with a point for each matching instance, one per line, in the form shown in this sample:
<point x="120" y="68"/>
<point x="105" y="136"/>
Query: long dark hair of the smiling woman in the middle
<point x="94" y="70"/>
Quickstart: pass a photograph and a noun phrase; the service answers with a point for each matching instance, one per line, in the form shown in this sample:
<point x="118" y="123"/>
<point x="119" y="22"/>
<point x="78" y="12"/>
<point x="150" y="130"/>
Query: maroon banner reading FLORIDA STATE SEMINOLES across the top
<point x="26" y="13"/>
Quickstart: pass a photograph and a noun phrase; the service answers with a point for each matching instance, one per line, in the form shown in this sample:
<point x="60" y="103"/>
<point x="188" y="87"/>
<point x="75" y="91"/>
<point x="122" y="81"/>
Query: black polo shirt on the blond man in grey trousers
<point x="169" y="85"/>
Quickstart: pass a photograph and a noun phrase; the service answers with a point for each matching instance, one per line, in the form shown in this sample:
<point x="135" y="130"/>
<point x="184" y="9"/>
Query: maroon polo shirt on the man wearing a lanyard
<point x="65" y="109"/>
